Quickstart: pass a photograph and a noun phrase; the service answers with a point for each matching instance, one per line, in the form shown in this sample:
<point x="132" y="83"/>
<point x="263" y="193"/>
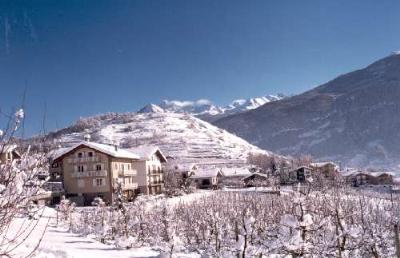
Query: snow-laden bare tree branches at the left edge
<point x="19" y="187"/>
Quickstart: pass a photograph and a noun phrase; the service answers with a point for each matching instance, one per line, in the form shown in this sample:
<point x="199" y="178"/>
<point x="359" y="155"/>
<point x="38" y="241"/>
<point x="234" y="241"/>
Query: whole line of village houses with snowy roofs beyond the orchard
<point x="88" y="170"/>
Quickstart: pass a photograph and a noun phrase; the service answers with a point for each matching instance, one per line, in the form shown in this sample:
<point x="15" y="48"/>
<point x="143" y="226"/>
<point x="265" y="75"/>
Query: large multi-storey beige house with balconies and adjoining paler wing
<point x="90" y="170"/>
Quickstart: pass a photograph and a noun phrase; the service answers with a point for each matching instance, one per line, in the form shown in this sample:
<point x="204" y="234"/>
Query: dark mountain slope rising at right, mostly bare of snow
<point x="353" y="119"/>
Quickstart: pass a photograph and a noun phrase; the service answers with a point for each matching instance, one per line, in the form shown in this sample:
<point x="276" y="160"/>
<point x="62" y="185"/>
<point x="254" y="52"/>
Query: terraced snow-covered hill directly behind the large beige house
<point x="179" y="136"/>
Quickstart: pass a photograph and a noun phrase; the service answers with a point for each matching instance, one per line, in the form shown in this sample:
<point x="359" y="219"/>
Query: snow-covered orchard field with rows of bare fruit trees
<point x="224" y="224"/>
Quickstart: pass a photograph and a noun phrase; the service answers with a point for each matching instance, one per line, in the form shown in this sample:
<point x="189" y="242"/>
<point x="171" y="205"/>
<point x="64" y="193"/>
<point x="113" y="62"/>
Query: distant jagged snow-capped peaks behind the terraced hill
<point x="208" y="111"/>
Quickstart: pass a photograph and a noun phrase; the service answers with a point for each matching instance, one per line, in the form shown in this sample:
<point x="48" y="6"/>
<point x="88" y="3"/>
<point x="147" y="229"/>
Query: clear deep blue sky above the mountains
<point x="83" y="57"/>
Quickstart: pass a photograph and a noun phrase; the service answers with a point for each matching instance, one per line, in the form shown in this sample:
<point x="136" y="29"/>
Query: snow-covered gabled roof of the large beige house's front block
<point x="104" y="148"/>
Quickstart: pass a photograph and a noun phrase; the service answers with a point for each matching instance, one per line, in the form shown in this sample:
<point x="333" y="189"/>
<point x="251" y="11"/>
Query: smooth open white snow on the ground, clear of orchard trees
<point x="59" y="242"/>
